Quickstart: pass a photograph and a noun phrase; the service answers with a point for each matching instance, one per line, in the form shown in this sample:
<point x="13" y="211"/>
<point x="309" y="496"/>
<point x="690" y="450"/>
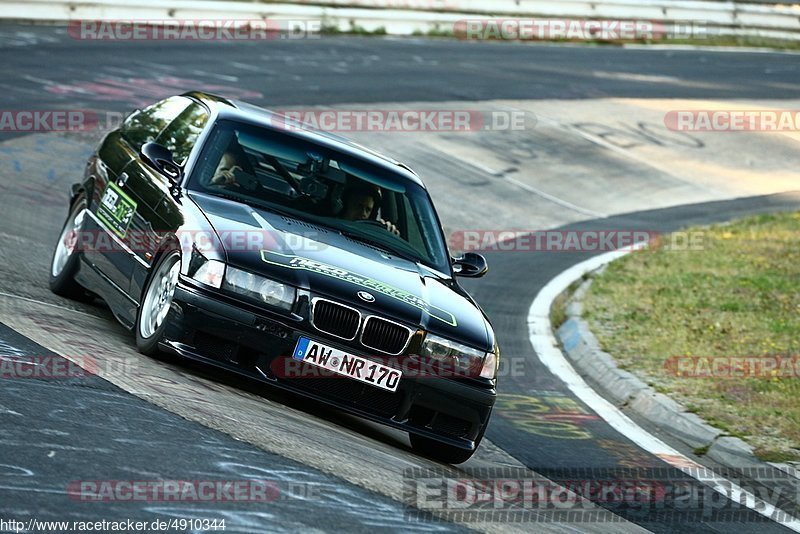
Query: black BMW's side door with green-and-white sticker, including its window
<point x="126" y="202"/>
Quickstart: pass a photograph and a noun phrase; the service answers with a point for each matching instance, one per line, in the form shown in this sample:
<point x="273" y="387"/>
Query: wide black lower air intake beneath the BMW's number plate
<point x="364" y="396"/>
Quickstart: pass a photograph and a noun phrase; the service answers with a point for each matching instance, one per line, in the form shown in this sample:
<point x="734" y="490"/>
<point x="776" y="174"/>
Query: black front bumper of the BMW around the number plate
<point x="220" y="331"/>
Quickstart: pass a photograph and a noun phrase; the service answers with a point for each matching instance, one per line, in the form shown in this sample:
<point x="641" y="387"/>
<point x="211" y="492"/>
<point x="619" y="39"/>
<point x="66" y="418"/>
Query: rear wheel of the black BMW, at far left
<point x="64" y="263"/>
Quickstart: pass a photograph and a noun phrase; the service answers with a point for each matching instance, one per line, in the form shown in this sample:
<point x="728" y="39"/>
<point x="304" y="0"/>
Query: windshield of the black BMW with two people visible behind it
<point x="278" y="172"/>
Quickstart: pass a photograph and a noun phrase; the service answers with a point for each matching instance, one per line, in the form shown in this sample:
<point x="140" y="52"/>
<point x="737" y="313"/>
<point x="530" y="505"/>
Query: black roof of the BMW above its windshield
<point x="251" y="114"/>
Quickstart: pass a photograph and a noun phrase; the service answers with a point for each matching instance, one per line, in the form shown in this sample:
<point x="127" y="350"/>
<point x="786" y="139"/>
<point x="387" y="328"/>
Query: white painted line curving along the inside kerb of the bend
<point x="547" y="350"/>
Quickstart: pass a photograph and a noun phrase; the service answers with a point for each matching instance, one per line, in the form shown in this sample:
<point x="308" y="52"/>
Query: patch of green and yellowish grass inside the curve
<point x="740" y="296"/>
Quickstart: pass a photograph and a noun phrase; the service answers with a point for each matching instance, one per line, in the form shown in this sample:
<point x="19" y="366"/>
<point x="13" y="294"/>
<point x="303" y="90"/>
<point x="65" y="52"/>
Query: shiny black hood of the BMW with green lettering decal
<point x="326" y="263"/>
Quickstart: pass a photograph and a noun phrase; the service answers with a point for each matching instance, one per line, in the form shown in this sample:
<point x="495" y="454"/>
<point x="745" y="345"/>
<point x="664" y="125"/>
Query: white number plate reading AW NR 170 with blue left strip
<point x="348" y="365"/>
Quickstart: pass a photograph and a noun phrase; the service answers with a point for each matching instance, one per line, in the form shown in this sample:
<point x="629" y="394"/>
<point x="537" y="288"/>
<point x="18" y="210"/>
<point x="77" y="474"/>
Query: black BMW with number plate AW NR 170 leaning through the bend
<point x="224" y="233"/>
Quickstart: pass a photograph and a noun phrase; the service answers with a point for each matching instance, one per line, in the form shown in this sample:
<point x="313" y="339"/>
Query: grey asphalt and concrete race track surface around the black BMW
<point x="595" y="154"/>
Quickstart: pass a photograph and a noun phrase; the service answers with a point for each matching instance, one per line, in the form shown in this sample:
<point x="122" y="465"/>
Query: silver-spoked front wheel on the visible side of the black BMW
<point x="158" y="293"/>
